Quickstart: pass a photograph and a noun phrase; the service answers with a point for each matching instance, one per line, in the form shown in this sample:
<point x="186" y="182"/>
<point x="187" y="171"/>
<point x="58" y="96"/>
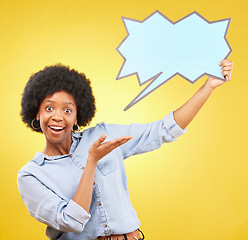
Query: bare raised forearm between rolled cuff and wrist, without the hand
<point x="186" y="113"/>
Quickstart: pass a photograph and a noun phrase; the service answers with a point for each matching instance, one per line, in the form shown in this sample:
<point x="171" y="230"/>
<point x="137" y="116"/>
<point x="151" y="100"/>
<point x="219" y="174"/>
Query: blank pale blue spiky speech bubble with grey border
<point x="157" y="49"/>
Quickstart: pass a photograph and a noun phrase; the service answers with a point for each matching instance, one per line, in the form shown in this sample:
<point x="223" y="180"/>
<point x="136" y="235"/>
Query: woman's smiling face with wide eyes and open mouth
<point x="57" y="115"/>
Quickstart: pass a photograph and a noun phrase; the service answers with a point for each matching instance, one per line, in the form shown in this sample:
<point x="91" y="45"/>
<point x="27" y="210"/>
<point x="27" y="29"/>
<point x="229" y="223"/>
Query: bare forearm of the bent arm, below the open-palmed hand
<point x="83" y="195"/>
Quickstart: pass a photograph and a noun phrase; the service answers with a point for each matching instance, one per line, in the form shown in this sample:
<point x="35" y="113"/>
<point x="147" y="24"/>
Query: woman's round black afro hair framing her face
<point x="53" y="79"/>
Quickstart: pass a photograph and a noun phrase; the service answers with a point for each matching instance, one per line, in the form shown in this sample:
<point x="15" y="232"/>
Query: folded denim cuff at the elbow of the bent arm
<point x="77" y="212"/>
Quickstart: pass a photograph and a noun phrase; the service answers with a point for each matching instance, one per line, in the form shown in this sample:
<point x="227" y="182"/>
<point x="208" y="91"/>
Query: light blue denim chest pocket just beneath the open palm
<point x="107" y="164"/>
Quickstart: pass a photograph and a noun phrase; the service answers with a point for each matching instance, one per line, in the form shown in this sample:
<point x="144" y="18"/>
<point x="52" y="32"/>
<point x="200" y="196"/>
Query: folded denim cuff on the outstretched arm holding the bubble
<point x="172" y="127"/>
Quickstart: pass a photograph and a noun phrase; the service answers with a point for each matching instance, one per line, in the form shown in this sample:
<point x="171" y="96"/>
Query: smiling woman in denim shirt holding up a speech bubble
<point x="77" y="186"/>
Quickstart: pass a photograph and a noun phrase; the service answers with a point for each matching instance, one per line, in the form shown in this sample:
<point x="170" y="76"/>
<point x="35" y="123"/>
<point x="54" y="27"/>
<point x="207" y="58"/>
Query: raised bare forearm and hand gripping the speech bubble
<point x="186" y="113"/>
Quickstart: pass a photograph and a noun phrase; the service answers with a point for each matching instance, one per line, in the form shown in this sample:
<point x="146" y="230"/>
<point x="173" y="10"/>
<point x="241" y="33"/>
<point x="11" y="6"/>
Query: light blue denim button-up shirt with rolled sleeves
<point x="48" y="184"/>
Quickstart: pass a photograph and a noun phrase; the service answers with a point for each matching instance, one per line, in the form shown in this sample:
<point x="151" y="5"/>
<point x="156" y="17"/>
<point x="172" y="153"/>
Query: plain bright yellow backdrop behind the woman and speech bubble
<point x="192" y="189"/>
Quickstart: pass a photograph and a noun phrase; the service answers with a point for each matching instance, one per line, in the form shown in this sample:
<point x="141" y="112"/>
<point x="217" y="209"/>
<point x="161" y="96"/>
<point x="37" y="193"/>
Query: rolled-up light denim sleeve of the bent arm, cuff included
<point x="47" y="207"/>
